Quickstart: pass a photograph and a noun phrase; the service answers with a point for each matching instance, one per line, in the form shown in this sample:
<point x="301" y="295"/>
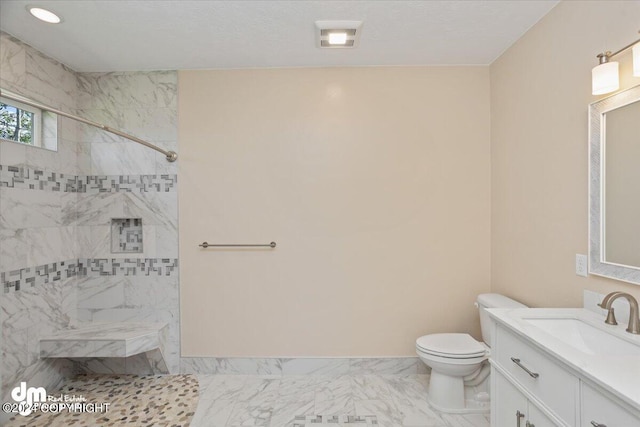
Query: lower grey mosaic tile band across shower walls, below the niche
<point x="16" y="280"/>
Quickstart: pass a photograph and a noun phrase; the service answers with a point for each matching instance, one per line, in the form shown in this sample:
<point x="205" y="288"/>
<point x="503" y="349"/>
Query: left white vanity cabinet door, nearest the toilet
<point x="510" y="405"/>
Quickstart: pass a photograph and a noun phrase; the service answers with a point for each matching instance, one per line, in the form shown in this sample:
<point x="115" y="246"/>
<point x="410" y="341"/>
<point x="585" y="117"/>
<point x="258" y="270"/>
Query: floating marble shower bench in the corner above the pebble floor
<point x="119" y="339"/>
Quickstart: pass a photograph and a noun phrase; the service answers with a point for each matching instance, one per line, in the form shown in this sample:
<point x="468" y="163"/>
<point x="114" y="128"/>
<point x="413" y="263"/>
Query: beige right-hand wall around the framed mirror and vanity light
<point x="540" y="92"/>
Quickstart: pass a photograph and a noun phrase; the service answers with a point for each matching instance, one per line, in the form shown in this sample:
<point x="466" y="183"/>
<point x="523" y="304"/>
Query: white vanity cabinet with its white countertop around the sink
<point x="537" y="381"/>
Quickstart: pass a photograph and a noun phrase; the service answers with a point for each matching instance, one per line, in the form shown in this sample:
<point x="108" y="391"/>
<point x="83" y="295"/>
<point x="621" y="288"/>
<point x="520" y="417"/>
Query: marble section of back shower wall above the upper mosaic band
<point x="142" y="103"/>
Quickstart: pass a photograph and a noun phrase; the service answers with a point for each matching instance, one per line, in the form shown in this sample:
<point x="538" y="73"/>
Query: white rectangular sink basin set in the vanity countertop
<point x="585" y="337"/>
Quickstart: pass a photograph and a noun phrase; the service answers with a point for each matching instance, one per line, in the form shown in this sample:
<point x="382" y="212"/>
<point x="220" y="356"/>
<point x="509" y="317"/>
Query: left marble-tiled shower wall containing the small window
<point x="36" y="221"/>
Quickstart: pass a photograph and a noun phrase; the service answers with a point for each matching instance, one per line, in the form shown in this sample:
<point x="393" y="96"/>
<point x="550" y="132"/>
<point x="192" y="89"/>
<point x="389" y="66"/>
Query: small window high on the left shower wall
<point x="20" y="123"/>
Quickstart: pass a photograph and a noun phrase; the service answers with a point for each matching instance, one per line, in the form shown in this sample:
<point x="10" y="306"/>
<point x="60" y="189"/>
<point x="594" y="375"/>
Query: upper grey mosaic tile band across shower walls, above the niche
<point x="35" y="179"/>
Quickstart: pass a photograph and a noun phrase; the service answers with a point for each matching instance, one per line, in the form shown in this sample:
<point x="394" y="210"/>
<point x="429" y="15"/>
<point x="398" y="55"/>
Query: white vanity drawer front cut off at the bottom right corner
<point x="598" y="409"/>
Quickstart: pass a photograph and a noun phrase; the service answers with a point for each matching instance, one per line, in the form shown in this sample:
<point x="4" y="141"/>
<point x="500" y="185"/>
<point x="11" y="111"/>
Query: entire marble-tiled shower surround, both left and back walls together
<point x="56" y="207"/>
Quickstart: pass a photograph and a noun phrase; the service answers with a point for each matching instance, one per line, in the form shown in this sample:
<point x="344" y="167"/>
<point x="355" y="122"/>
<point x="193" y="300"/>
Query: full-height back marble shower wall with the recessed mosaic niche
<point x="130" y="181"/>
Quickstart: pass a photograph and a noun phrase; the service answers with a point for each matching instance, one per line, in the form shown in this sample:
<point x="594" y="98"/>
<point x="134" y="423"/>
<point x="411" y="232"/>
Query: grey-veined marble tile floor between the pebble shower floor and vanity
<point x="314" y="400"/>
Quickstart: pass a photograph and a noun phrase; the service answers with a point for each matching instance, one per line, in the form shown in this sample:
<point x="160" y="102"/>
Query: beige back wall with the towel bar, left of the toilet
<point x="375" y="183"/>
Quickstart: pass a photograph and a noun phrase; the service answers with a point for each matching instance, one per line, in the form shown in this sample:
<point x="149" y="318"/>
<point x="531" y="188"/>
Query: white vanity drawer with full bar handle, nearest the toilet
<point x="538" y="374"/>
